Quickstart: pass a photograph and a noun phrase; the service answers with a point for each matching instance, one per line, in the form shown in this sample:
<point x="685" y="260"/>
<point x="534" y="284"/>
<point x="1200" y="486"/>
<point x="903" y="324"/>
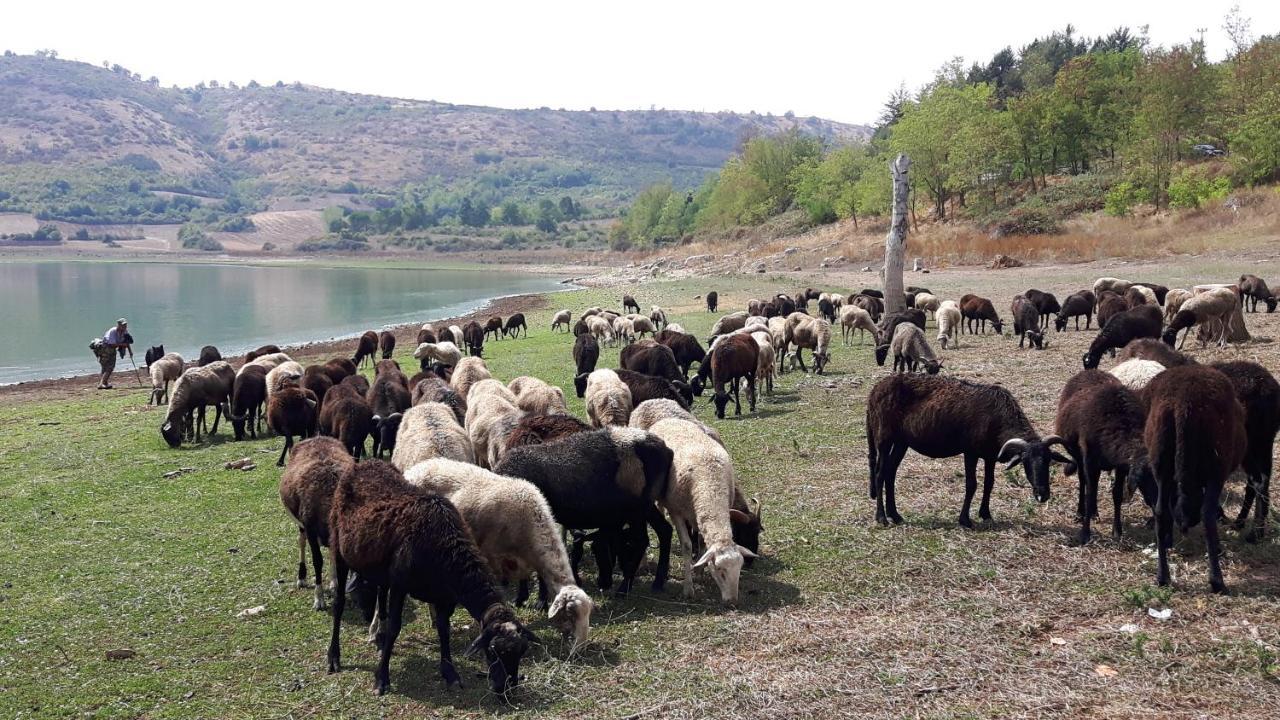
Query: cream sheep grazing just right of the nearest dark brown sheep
<point x="516" y="534"/>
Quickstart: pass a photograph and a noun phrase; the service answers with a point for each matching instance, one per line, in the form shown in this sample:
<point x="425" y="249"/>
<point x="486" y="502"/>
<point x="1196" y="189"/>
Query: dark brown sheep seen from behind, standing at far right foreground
<point x="1195" y="439"/>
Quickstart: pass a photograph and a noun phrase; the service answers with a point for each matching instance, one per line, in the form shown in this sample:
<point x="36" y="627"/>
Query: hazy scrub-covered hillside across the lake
<point x="75" y="120"/>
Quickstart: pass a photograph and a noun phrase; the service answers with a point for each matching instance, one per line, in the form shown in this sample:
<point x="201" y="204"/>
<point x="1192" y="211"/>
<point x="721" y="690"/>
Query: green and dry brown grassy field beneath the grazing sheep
<point x="102" y="553"/>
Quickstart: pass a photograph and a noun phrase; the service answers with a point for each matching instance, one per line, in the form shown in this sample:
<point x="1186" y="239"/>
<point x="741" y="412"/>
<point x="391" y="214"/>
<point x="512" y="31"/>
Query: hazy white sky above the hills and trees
<point x="838" y="61"/>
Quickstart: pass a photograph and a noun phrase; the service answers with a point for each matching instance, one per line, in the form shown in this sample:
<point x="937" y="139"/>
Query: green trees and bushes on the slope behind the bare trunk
<point x="1064" y="126"/>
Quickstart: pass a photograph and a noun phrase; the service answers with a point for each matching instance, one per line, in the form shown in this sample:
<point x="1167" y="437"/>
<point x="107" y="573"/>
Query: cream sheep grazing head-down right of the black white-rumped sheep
<point x="698" y="499"/>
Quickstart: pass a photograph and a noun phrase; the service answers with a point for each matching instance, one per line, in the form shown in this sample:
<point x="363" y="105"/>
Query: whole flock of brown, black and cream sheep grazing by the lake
<point x="490" y="482"/>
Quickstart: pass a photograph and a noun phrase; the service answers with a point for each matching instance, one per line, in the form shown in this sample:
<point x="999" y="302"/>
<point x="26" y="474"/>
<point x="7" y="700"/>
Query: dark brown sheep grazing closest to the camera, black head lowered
<point x="413" y="543"/>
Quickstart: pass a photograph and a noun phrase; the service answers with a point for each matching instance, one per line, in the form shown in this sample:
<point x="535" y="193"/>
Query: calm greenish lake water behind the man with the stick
<point x="52" y="311"/>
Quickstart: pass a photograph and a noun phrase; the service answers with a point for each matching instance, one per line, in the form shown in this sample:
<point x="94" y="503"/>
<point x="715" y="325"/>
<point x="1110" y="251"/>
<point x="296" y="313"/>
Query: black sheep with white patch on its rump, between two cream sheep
<point x="605" y="480"/>
